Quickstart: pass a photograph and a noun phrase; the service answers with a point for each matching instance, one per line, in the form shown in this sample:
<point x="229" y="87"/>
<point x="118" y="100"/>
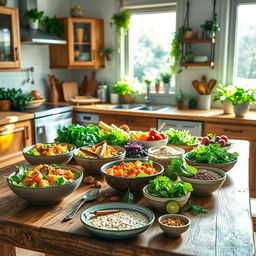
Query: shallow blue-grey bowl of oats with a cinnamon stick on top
<point x="117" y="220"/>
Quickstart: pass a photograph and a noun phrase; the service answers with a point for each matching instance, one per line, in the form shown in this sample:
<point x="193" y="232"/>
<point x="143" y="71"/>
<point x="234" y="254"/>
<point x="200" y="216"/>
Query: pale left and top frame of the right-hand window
<point x="232" y="36"/>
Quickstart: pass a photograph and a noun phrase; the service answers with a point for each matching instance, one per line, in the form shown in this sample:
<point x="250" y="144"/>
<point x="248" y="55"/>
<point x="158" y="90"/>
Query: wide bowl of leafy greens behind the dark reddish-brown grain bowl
<point x="212" y="156"/>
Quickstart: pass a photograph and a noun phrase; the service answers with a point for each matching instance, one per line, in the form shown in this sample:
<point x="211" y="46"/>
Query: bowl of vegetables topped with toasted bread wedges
<point x="93" y="157"/>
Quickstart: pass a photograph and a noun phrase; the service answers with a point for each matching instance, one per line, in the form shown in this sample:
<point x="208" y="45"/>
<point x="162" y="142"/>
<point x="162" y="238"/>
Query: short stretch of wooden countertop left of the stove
<point x="7" y="117"/>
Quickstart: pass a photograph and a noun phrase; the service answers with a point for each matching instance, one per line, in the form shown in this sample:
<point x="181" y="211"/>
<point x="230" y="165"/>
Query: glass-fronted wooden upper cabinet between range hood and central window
<point x="85" y="39"/>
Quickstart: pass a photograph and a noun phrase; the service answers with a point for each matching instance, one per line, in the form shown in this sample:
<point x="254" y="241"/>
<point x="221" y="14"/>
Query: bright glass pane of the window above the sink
<point x="150" y="36"/>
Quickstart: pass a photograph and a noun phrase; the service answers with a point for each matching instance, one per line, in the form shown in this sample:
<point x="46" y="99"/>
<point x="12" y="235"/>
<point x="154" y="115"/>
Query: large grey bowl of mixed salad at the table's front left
<point x="45" y="184"/>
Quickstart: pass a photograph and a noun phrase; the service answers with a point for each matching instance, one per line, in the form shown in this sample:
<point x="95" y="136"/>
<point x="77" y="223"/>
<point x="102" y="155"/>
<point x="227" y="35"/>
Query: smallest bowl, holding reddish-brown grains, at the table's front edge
<point x="174" y="224"/>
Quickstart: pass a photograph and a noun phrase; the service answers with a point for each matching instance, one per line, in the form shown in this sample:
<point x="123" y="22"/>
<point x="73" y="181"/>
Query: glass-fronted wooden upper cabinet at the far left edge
<point x="9" y="38"/>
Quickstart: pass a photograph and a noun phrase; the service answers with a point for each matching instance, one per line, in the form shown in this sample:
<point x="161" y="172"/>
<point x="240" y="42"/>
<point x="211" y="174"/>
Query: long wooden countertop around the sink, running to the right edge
<point x="213" y="115"/>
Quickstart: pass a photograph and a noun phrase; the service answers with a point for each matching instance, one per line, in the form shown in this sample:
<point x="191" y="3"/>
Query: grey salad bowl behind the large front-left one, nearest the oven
<point x="48" y="159"/>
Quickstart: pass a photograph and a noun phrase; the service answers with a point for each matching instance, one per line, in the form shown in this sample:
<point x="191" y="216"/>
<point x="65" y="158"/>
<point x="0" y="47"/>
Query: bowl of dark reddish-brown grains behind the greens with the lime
<point x="206" y="181"/>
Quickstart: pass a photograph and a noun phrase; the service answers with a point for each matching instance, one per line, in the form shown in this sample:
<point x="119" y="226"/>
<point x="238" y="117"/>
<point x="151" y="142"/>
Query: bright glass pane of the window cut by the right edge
<point x="245" y="51"/>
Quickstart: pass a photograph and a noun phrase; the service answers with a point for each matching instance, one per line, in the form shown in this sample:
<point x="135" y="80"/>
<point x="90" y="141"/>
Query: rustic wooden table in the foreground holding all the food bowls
<point x="225" y="230"/>
